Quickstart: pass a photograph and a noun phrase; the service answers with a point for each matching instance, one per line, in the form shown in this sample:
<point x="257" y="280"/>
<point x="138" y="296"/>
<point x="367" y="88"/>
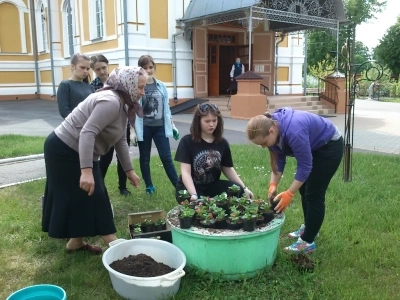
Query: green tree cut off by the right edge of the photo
<point x="388" y="50"/>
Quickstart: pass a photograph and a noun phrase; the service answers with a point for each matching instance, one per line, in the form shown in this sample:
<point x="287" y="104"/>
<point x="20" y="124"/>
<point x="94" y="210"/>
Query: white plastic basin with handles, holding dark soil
<point x="145" y="288"/>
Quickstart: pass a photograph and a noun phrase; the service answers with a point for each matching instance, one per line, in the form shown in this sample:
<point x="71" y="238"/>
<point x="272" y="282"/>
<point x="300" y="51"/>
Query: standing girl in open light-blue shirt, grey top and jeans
<point x="156" y="125"/>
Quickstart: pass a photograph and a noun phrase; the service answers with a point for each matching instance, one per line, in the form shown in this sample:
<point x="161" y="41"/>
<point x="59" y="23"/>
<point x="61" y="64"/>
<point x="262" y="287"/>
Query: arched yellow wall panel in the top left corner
<point x="10" y="34"/>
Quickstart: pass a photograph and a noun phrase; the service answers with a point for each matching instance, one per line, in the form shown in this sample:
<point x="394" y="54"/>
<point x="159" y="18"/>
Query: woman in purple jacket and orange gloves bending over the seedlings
<point x="317" y="145"/>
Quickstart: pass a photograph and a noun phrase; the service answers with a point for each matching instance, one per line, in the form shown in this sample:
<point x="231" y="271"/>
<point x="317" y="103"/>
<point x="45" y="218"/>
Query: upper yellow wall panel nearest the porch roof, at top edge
<point x="159" y="19"/>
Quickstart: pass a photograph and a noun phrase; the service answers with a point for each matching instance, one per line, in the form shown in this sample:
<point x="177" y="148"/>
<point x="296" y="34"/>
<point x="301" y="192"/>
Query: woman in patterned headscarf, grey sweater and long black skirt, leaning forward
<point x="76" y="204"/>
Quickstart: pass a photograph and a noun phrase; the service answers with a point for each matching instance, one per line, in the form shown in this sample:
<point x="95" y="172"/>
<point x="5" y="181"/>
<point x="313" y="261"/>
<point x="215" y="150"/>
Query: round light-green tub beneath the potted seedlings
<point x="233" y="254"/>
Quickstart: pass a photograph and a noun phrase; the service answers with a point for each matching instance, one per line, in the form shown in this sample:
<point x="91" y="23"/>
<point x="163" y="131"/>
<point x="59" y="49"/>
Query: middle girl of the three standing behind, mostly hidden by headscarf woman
<point x="99" y="64"/>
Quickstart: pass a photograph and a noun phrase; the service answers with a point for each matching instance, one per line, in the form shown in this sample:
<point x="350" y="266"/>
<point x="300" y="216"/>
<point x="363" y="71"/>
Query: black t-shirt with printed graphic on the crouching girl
<point x="206" y="159"/>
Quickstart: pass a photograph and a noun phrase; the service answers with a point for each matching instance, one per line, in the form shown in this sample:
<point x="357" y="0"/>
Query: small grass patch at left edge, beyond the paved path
<point x="14" y="145"/>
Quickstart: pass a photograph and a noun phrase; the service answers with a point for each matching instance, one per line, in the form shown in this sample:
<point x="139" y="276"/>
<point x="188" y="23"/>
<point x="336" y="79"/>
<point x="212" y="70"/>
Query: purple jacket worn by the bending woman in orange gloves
<point x="301" y="133"/>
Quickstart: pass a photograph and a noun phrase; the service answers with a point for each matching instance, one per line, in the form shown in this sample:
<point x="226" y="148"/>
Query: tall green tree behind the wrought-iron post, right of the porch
<point x="323" y="41"/>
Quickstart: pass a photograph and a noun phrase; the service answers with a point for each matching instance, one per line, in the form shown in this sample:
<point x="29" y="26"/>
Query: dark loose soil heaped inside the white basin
<point x="140" y="265"/>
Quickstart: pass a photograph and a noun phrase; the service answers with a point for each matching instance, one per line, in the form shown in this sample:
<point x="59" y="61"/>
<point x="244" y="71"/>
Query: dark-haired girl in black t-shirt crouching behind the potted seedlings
<point x="204" y="154"/>
